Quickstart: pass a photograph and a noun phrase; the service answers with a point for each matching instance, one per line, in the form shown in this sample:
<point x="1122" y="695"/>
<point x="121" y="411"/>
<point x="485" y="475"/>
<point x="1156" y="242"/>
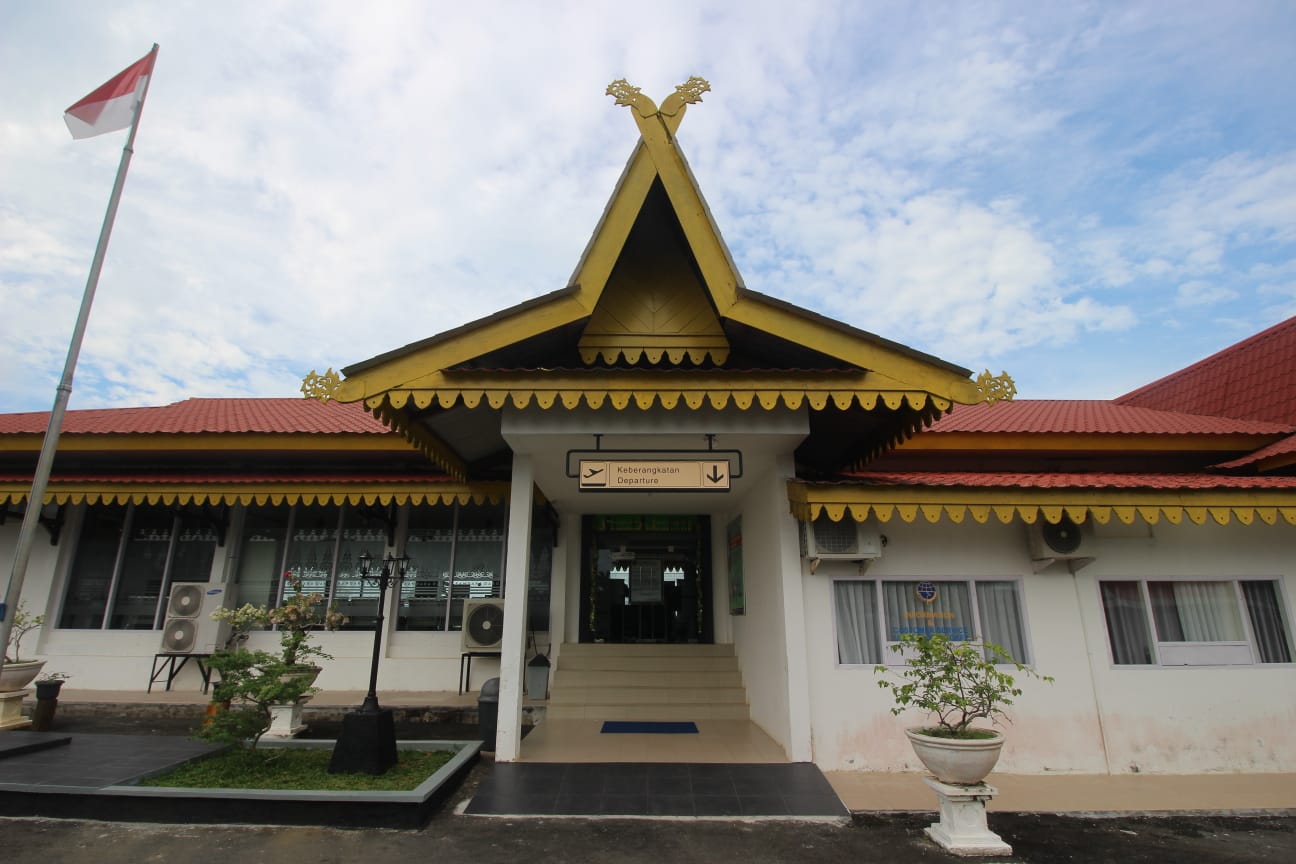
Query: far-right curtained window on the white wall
<point x="1196" y="624"/>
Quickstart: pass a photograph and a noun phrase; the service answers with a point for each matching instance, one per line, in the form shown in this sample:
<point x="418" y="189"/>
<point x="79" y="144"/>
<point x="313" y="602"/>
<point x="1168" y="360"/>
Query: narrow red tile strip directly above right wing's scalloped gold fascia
<point x="1096" y="480"/>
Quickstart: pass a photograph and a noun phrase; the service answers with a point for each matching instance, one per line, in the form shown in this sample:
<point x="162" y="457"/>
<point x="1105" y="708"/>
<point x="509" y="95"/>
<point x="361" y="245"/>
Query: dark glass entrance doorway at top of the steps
<point x="646" y="580"/>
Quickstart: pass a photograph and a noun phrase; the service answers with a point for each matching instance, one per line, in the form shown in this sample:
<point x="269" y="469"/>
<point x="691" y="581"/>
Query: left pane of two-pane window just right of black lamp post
<point x="426" y="591"/>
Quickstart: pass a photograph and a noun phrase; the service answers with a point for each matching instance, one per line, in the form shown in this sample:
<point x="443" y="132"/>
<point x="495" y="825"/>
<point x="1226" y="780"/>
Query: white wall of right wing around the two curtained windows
<point x="1096" y="718"/>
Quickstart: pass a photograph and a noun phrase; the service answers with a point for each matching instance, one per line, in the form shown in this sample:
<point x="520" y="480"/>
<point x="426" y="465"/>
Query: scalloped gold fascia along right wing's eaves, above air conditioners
<point x="1030" y="506"/>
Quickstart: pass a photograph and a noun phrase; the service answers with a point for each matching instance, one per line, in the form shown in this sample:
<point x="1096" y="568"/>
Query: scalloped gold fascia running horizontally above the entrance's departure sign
<point x="645" y="400"/>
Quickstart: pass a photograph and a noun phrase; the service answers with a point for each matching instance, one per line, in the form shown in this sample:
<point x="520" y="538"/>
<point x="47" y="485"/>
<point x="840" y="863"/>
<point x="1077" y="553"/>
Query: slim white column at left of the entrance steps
<point x="509" y="743"/>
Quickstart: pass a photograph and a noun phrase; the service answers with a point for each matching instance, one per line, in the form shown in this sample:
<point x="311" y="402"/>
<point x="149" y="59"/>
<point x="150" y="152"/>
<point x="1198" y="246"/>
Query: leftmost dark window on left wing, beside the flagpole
<point x="128" y="558"/>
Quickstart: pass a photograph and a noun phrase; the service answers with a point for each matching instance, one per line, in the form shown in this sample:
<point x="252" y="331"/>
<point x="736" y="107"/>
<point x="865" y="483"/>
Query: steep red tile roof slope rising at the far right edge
<point x="1254" y="380"/>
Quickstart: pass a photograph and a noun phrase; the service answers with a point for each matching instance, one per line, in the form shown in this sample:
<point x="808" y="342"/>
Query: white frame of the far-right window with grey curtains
<point x="1196" y="654"/>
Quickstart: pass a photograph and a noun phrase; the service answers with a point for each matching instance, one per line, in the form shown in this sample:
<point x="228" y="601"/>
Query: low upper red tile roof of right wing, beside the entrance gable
<point x="1043" y="416"/>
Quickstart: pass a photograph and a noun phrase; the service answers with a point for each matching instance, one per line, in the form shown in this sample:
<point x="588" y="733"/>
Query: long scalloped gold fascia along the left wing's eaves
<point x="277" y="494"/>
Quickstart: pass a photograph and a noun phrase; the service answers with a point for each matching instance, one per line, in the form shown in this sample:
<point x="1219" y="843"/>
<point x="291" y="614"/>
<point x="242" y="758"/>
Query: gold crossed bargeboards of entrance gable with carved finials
<point x="890" y="370"/>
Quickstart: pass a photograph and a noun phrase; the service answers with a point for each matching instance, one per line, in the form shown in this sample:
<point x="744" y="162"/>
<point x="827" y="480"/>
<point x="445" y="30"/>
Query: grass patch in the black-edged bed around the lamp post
<point x="297" y="769"/>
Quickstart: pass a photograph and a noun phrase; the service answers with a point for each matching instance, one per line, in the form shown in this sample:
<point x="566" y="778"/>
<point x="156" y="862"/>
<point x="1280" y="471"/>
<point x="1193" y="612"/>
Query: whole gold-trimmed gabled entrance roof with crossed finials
<point x="655" y="296"/>
